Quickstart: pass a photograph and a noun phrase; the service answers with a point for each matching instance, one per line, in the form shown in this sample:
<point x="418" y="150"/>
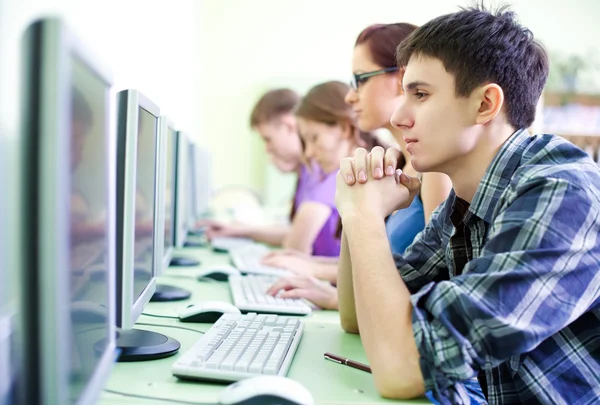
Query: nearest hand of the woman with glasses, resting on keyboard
<point x="320" y="293"/>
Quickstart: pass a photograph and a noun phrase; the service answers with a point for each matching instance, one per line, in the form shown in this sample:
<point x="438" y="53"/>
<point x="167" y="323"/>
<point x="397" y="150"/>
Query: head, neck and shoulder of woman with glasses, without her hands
<point x="376" y="93"/>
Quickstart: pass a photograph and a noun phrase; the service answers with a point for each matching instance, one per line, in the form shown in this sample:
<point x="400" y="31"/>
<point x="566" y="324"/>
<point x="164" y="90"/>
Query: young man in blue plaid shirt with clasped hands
<point x="503" y="283"/>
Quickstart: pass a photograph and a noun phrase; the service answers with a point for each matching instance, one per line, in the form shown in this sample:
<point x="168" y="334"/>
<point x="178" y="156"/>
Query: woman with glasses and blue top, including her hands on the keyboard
<point x="376" y="92"/>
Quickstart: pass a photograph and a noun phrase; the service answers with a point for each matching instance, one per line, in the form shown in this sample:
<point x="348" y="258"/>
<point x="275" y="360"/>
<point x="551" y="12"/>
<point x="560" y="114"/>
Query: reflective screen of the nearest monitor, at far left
<point x="88" y="222"/>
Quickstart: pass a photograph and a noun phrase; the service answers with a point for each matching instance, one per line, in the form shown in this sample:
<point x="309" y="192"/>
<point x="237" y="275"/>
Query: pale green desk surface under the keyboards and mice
<point x="328" y="382"/>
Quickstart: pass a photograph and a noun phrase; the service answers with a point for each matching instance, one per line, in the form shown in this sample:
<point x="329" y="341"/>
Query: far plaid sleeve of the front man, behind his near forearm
<point x="423" y="261"/>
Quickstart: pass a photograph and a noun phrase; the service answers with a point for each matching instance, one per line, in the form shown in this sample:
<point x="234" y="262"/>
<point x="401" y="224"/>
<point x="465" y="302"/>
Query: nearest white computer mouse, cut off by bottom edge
<point x="266" y="390"/>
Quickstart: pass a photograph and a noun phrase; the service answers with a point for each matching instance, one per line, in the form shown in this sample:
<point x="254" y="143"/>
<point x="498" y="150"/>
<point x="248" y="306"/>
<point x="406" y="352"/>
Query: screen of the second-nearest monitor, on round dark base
<point x="144" y="201"/>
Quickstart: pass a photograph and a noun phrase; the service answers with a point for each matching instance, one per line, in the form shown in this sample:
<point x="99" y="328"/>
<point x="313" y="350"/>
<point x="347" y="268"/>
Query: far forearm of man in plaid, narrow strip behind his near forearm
<point x="345" y="290"/>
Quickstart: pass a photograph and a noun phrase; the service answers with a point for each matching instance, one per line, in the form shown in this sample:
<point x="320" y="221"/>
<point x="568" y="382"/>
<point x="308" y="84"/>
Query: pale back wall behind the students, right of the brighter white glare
<point x="249" y="46"/>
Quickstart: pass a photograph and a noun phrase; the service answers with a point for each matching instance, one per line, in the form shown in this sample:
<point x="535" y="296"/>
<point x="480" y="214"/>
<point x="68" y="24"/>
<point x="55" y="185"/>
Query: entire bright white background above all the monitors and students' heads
<point x="205" y="62"/>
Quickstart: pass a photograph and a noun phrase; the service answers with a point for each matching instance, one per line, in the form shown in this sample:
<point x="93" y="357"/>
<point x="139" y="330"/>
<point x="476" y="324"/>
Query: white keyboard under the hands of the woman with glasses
<point x="248" y="293"/>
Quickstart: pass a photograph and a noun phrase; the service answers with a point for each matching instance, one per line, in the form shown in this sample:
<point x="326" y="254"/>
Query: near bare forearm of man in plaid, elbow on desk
<point x="383" y="310"/>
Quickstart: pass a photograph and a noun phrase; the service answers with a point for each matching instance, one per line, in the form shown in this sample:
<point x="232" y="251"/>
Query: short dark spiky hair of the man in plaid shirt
<point x="478" y="46"/>
